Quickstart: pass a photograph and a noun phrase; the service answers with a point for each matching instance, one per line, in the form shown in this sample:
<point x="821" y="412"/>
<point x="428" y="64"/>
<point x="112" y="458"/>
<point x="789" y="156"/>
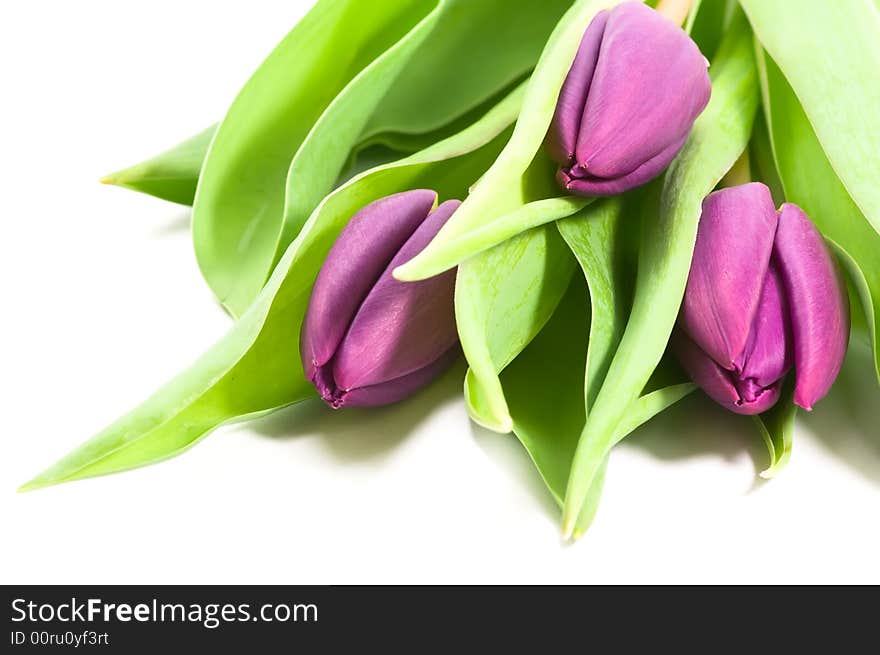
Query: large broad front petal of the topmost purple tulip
<point x="649" y="86"/>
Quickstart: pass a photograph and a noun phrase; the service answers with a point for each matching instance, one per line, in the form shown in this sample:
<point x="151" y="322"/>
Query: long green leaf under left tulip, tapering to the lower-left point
<point x="256" y="366"/>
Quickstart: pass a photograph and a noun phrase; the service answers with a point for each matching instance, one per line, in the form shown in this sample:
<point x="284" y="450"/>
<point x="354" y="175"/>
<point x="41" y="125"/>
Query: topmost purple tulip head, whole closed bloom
<point x="636" y="86"/>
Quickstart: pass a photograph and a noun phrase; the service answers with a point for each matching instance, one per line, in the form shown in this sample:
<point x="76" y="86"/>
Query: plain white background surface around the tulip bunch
<point x="102" y="302"/>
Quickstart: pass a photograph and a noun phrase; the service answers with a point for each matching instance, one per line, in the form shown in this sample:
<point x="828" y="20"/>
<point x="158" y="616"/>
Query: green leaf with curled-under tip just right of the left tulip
<point x="503" y="297"/>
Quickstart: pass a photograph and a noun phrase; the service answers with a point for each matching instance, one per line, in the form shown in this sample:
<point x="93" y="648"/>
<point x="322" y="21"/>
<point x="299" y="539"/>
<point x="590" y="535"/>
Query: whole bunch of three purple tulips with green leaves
<point x="602" y="206"/>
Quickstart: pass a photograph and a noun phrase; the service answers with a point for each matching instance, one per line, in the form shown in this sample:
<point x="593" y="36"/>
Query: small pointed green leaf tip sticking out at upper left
<point x="170" y="175"/>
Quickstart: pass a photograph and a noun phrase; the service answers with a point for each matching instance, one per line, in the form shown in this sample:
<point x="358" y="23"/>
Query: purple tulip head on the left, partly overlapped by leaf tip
<point x="368" y="339"/>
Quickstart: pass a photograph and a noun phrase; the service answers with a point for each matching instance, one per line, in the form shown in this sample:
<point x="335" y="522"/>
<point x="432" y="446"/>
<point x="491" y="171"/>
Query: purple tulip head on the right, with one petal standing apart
<point x="764" y="295"/>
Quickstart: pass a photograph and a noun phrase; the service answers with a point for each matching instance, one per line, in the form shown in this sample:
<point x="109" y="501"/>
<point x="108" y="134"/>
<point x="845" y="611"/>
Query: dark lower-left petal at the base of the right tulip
<point x="717" y="382"/>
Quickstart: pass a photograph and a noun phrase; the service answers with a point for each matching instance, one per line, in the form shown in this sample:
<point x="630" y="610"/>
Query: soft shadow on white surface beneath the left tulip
<point x="362" y="433"/>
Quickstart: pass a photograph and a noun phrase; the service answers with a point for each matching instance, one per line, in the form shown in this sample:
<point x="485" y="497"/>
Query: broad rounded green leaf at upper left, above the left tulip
<point x="341" y="54"/>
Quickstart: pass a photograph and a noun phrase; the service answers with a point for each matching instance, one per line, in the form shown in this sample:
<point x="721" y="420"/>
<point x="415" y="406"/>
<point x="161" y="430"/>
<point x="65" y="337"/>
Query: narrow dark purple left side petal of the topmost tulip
<point x="564" y="129"/>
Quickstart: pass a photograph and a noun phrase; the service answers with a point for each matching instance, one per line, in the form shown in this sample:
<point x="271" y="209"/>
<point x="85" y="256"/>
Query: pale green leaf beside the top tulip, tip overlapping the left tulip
<point x="492" y="200"/>
